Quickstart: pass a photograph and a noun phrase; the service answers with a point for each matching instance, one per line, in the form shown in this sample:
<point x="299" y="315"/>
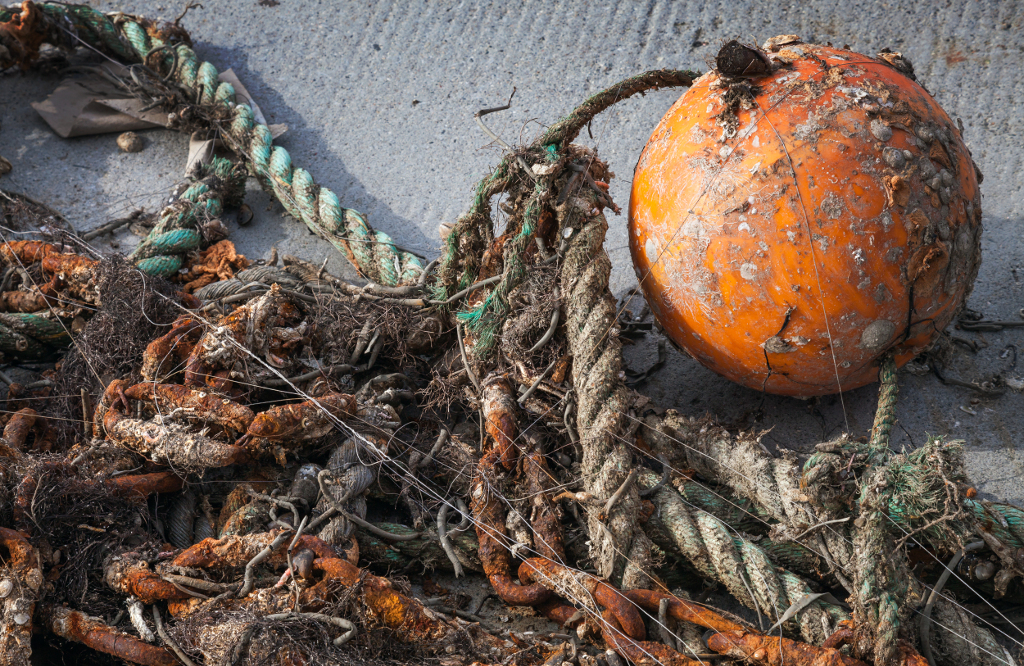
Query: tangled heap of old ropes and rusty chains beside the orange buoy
<point x="237" y="464"/>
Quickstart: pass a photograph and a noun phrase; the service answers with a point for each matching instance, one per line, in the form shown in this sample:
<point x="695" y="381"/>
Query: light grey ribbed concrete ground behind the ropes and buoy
<point x="379" y="100"/>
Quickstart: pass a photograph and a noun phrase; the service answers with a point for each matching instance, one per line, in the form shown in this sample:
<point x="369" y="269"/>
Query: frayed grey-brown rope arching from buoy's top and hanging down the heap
<point x="619" y="547"/>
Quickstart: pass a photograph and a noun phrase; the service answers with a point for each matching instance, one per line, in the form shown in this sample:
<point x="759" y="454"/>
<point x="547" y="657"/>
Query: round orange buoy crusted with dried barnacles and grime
<point x="803" y="212"/>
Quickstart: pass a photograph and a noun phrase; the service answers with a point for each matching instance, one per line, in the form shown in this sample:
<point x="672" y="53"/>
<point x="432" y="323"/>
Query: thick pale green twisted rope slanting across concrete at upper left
<point x="214" y="103"/>
